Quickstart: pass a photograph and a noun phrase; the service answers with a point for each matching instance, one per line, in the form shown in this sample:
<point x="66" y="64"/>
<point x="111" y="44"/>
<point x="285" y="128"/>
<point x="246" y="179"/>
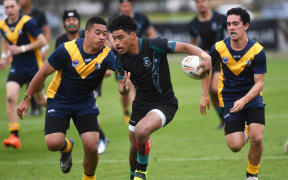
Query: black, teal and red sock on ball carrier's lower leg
<point x="143" y="155"/>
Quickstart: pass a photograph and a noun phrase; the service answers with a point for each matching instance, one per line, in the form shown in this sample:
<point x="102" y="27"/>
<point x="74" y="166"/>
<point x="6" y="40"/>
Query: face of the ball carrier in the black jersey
<point x="123" y="41"/>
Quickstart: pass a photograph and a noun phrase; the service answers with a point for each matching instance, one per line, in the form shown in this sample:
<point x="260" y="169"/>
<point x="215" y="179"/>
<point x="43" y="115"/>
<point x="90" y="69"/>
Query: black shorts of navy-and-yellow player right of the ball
<point x="235" y="122"/>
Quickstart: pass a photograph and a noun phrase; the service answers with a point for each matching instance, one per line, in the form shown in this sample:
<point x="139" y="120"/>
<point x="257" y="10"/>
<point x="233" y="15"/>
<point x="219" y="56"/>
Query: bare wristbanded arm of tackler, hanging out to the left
<point x="35" y="84"/>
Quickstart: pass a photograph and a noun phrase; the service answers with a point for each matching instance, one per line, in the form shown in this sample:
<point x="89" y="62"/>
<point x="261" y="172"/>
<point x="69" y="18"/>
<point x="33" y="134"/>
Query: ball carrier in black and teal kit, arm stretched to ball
<point x="155" y="103"/>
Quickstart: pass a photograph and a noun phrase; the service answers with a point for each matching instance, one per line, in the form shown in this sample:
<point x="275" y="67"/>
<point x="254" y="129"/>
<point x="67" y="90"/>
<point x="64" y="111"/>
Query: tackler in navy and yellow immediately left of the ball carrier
<point x="80" y="66"/>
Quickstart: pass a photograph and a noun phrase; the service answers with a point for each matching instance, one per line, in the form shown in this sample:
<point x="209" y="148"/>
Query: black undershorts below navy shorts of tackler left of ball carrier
<point x="85" y="123"/>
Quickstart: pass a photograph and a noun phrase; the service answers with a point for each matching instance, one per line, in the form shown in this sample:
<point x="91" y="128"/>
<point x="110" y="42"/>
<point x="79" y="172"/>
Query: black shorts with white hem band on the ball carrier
<point x="166" y="110"/>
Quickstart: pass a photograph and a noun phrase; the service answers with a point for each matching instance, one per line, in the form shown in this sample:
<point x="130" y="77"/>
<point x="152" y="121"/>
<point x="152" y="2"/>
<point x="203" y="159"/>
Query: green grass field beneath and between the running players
<point x="189" y="148"/>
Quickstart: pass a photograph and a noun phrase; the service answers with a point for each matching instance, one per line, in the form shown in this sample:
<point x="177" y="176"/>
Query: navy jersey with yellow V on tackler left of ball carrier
<point x="77" y="73"/>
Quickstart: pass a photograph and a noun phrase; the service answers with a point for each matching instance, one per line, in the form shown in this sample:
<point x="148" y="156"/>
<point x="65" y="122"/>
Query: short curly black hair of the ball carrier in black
<point x="126" y="23"/>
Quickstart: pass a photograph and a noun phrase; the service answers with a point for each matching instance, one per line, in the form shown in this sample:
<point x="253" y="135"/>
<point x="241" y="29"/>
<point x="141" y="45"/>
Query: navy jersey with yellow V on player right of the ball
<point x="237" y="71"/>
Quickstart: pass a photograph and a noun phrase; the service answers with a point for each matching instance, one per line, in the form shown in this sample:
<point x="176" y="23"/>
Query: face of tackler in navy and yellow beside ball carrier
<point x="96" y="36"/>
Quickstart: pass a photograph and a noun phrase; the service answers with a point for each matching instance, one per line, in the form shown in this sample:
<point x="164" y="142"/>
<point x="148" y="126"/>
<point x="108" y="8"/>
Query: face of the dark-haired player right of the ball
<point x="235" y="27"/>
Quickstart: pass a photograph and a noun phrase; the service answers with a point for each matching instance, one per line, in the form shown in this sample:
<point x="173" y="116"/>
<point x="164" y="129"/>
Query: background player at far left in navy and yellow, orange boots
<point x="21" y="44"/>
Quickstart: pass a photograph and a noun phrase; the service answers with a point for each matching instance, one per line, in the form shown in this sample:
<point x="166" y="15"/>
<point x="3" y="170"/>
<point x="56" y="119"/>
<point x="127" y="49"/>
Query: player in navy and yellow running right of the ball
<point x="242" y="65"/>
